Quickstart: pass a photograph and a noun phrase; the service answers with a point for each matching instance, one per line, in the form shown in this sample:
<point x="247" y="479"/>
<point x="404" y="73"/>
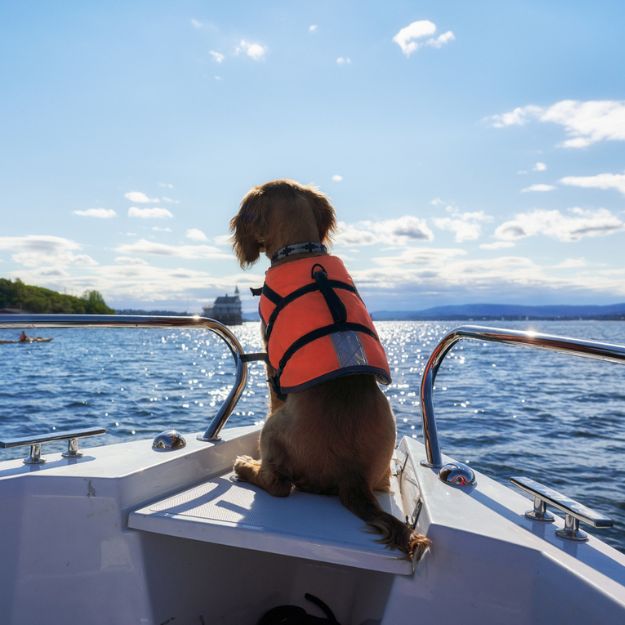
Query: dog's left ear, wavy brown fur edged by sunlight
<point x="247" y="228"/>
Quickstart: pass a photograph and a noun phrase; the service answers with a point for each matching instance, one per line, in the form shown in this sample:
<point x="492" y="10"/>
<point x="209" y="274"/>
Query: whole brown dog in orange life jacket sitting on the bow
<point x="333" y="434"/>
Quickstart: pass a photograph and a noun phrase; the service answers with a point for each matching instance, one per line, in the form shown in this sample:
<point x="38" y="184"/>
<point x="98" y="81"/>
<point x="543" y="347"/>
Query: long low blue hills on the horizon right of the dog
<point x="505" y="311"/>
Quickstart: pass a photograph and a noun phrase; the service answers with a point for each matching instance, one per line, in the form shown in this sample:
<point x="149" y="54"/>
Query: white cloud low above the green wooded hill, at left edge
<point x="45" y="251"/>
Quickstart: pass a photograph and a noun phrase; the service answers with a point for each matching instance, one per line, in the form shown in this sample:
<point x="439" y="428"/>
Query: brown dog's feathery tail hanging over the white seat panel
<point x="356" y="495"/>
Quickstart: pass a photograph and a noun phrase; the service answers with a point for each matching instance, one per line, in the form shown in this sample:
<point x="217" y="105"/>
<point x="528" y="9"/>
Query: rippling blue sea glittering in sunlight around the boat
<point x="504" y="410"/>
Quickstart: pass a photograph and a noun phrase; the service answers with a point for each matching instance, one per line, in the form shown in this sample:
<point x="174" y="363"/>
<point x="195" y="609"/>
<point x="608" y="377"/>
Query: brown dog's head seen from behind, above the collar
<point x="277" y="213"/>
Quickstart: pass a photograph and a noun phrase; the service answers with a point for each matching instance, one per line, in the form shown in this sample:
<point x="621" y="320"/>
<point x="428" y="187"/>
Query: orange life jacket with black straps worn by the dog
<point x="316" y="326"/>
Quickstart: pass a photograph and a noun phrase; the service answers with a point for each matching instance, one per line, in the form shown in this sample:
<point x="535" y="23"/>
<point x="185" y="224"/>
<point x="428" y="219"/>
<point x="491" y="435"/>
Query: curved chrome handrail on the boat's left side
<point x="152" y="321"/>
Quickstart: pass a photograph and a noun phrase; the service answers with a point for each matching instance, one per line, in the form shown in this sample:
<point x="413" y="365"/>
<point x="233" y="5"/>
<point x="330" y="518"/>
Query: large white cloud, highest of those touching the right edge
<point x="585" y="122"/>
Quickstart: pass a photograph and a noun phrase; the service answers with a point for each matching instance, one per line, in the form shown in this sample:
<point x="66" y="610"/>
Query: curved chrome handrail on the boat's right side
<point x="579" y="347"/>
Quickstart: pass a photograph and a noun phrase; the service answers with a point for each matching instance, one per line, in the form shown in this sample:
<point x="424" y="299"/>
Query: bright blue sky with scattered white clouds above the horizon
<point x="474" y="151"/>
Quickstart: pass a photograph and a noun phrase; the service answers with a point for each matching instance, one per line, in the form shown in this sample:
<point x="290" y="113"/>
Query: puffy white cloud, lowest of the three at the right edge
<point x="576" y="224"/>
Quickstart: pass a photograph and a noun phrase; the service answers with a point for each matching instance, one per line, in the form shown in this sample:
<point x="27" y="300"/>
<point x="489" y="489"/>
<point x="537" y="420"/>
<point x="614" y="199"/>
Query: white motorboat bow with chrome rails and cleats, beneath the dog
<point x="156" y="532"/>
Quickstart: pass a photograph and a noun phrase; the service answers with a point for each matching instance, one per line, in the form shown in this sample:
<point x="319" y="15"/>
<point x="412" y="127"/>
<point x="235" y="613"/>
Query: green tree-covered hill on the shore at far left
<point x="17" y="297"/>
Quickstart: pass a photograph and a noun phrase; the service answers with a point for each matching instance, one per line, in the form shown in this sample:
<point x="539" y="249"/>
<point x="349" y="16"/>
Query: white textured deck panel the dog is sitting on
<point x="228" y="512"/>
